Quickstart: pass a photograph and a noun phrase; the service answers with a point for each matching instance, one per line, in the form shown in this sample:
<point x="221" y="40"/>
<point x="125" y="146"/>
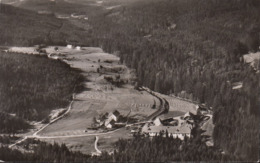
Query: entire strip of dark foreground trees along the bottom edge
<point x="138" y="149"/>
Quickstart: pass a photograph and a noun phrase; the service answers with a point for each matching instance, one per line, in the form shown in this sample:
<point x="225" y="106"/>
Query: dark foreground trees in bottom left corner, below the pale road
<point x="43" y="152"/>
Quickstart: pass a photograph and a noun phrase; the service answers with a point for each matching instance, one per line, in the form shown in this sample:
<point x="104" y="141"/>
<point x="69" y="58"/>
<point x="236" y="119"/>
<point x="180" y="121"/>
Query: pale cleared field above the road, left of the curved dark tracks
<point x="96" y="99"/>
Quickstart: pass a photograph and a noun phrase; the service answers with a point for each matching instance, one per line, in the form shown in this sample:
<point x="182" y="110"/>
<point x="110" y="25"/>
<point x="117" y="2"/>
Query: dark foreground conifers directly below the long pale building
<point x="163" y="149"/>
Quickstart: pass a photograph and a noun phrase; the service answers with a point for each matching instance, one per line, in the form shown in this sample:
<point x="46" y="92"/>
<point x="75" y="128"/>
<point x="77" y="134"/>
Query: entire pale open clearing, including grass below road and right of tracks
<point x="100" y="96"/>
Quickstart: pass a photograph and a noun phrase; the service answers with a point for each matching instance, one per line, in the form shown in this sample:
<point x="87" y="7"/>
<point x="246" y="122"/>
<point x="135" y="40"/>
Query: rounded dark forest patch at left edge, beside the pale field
<point x="31" y="86"/>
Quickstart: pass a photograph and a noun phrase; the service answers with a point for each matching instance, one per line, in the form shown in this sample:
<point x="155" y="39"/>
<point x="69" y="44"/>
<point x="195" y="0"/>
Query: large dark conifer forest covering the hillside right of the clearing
<point x="194" y="47"/>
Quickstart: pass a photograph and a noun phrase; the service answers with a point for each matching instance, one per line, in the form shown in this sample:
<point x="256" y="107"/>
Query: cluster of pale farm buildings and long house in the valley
<point x="177" y="127"/>
